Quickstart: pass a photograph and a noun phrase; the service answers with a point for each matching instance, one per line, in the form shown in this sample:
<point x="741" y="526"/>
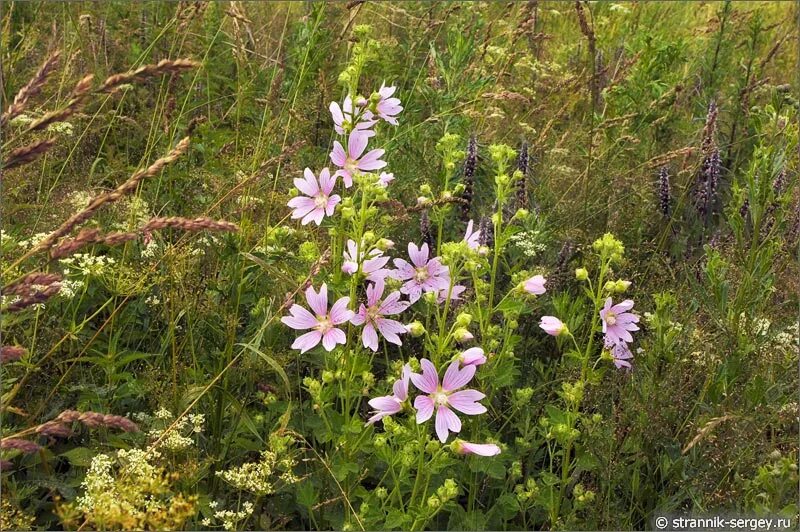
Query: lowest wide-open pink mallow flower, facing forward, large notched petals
<point x="445" y="397"/>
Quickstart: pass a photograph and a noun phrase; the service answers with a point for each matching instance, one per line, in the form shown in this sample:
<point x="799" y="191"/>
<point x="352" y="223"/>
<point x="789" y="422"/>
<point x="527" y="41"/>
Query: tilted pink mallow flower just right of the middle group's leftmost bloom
<point x="373" y="316"/>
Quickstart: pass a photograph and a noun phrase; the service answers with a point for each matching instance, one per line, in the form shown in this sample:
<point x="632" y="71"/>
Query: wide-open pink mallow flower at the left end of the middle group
<point x="322" y="322"/>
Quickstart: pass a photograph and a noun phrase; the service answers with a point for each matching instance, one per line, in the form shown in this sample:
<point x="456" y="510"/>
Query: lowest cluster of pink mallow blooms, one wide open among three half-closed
<point x="443" y="399"/>
